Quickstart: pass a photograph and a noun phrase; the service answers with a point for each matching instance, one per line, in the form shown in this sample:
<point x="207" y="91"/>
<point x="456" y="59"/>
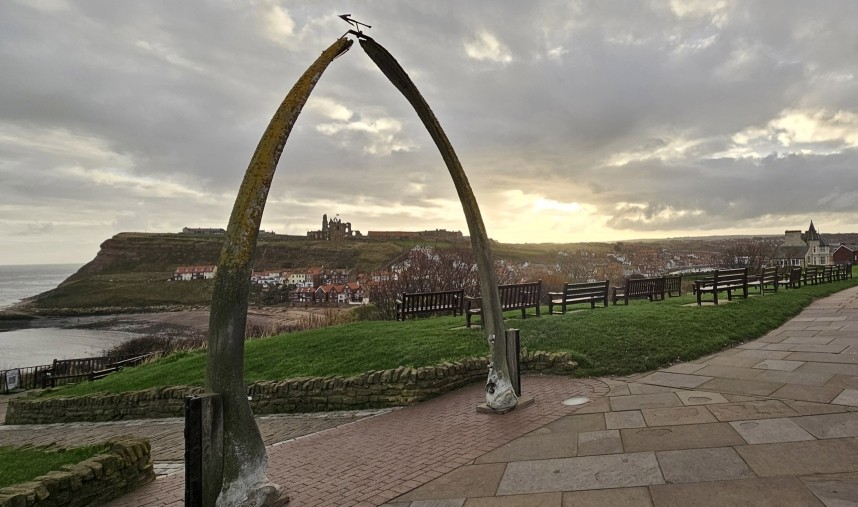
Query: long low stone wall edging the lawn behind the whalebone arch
<point x="374" y="389"/>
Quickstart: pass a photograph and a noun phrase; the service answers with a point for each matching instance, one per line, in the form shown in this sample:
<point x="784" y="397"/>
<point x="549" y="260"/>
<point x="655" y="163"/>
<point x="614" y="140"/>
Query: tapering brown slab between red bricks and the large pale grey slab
<point x="465" y="481"/>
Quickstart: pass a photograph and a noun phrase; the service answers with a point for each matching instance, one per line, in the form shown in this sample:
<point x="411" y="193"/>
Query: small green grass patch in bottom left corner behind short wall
<point x="19" y="464"/>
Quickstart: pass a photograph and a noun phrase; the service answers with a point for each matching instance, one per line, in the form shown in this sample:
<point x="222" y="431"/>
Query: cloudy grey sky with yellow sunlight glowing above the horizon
<point x="574" y="120"/>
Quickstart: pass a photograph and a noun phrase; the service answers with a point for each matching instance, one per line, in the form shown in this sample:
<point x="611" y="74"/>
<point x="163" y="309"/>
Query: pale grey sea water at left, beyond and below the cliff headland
<point x="40" y="345"/>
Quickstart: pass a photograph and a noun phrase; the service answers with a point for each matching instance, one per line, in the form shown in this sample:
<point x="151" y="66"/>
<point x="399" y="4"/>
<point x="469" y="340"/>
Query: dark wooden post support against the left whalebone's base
<point x="203" y="449"/>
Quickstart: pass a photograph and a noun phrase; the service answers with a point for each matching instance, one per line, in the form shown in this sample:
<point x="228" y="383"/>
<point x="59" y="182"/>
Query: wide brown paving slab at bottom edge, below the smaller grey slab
<point x="769" y="492"/>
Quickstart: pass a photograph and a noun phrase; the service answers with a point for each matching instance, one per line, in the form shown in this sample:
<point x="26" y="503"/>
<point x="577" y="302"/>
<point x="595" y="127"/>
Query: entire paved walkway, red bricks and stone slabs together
<point x="771" y="422"/>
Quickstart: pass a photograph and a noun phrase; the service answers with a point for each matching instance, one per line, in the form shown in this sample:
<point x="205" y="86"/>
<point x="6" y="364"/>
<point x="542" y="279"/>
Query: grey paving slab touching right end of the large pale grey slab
<point x="699" y="465"/>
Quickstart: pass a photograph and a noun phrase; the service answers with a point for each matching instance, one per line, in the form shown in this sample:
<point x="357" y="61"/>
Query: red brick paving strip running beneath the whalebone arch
<point x="374" y="460"/>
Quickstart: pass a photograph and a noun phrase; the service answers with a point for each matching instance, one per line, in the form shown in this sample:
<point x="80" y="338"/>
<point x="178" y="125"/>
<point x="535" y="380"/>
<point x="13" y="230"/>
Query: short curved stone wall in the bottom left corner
<point x="126" y="465"/>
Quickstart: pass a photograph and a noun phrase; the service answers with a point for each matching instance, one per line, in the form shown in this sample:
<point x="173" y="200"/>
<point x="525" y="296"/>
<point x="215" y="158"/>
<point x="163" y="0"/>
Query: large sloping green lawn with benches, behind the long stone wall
<point x="617" y="340"/>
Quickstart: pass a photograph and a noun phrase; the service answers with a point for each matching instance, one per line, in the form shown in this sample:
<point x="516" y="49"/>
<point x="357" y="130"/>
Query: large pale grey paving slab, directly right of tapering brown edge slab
<point x="575" y="474"/>
